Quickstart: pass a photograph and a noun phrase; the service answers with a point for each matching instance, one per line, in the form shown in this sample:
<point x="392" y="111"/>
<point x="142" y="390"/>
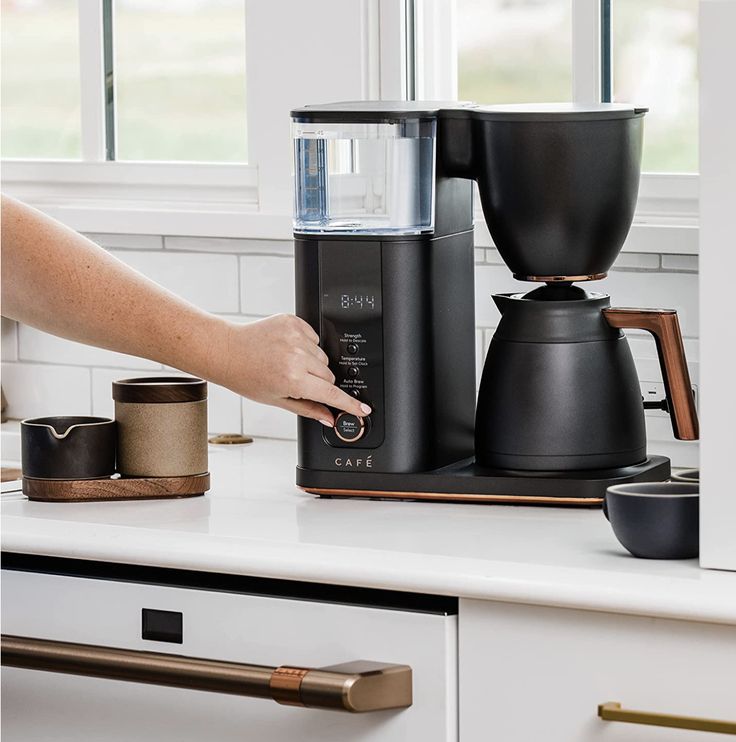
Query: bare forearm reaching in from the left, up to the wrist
<point x="85" y="294"/>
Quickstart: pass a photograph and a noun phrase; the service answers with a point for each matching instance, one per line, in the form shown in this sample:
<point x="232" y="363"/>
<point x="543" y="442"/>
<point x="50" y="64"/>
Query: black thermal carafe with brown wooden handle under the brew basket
<point x="559" y="389"/>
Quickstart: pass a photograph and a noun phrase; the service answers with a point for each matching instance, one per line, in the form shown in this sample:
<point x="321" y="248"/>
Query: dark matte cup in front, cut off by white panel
<point x="655" y="520"/>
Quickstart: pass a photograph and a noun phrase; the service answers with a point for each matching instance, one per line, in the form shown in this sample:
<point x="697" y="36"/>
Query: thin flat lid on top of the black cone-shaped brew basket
<point x="548" y="112"/>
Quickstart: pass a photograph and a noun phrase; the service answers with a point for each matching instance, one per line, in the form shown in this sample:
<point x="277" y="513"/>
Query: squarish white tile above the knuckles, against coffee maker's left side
<point x="266" y="285"/>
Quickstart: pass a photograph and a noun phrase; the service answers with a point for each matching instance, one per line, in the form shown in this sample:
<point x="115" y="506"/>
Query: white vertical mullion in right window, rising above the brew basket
<point x="586" y="51"/>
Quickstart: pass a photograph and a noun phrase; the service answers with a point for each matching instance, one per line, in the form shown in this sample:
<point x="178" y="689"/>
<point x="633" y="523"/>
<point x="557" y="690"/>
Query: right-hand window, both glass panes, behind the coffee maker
<point x="524" y="51"/>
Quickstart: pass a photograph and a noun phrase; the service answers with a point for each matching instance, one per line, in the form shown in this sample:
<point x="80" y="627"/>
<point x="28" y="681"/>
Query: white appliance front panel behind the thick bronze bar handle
<point x="216" y="625"/>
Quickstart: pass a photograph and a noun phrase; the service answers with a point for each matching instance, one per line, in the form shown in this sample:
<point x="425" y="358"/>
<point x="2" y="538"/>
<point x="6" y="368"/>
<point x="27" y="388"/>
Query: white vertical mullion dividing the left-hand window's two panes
<point x="92" y="80"/>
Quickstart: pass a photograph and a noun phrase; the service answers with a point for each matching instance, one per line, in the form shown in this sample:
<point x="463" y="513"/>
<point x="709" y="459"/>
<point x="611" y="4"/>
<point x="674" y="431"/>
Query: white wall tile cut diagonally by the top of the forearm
<point x="209" y="281"/>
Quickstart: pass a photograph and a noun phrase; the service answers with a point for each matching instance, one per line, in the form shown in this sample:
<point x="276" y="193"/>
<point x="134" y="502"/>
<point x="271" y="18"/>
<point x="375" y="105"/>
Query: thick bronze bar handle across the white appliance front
<point x="354" y="686"/>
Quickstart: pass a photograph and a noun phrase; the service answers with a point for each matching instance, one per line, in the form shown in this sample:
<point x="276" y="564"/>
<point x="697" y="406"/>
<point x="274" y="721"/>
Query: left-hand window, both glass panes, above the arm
<point x="178" y="71"/>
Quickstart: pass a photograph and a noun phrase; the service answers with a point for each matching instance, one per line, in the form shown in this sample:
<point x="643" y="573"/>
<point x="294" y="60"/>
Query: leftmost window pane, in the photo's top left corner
<point x="40" y="79"/>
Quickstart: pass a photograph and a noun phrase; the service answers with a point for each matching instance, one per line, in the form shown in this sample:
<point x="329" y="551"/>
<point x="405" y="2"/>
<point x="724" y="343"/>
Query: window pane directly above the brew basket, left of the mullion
<point x="514" y="51"/>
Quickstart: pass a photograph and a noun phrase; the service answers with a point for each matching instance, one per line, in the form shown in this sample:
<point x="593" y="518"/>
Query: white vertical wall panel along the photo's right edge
<point x="718" y="199"/>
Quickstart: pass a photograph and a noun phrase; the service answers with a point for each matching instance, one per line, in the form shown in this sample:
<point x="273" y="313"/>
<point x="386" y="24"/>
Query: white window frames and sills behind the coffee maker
<point x="401" y="49"/>
